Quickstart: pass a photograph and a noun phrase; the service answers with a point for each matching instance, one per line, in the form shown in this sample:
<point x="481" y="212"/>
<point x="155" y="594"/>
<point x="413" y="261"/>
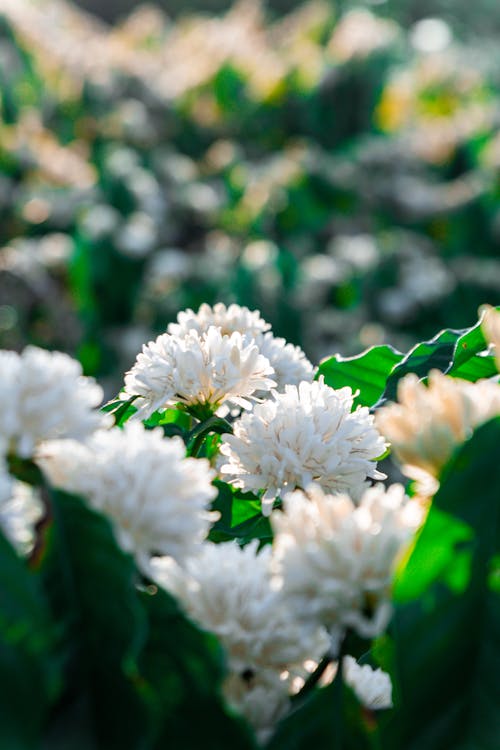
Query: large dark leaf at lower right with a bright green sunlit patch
<point x="447" y="623"/>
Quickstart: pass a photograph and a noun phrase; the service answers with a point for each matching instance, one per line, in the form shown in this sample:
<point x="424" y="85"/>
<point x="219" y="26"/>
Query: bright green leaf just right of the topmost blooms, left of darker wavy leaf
<point x="367" y="372"/>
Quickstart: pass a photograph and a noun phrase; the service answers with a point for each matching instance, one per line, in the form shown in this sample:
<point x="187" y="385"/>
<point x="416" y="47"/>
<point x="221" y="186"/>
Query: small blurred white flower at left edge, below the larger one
<point x="20" y="509"/>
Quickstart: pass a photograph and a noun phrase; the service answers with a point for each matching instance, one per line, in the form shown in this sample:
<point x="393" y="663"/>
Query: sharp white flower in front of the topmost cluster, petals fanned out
<point x="199" y="370"/>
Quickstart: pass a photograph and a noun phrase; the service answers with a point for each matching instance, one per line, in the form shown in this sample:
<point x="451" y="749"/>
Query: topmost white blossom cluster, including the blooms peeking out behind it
<point x="216" y="356"/>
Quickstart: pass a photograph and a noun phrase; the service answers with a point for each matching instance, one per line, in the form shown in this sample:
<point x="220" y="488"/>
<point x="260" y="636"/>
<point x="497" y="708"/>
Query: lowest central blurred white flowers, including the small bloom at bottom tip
<point x="229" y="591"/>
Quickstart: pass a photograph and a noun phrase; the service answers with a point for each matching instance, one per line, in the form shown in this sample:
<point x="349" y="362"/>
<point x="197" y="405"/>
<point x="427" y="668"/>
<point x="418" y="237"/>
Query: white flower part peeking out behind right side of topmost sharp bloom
<point x="289" y="362"/>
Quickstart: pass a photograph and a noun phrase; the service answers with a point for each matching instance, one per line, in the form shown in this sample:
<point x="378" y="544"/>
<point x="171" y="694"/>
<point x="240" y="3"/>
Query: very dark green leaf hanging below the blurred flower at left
<point x="91" y="584"/>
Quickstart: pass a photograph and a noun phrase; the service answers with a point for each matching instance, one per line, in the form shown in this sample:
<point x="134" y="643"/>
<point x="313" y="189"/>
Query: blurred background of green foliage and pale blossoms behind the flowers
<point x="334" y="164"/>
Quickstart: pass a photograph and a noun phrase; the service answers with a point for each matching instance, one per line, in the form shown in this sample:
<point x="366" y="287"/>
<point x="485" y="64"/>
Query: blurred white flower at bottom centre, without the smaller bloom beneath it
<point x="227" y="590"/>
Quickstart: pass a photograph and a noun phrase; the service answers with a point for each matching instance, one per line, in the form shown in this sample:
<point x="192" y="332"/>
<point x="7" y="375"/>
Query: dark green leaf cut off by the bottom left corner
<point x="30" y="678"/>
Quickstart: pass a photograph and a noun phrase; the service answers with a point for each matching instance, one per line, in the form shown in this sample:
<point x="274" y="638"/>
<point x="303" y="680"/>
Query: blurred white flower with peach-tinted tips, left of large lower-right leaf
<point x="335" y="559"/>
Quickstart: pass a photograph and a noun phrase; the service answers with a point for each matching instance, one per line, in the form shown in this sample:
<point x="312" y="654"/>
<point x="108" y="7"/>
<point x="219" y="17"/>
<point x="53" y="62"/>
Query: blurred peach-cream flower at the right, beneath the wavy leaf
<point x="429" y="422"/>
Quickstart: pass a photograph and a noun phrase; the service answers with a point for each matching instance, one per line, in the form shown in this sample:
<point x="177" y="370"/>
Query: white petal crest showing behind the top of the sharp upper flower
<point x="228" y="319"/>
